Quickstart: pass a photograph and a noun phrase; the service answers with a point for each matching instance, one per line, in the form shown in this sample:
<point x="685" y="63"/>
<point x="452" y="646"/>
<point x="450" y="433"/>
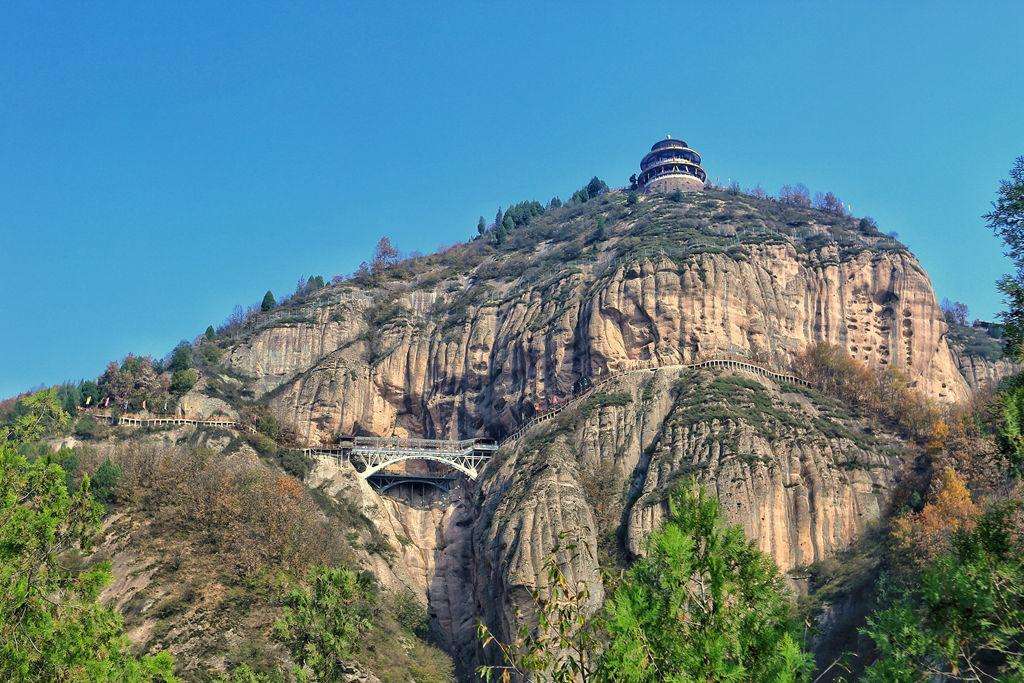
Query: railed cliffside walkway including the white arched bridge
<point x="371" y="456"/>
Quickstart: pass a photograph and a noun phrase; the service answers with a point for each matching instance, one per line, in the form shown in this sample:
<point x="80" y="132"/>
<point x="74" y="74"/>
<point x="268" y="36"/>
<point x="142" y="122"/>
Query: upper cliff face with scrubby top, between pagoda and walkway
<point x="478" y="339"/>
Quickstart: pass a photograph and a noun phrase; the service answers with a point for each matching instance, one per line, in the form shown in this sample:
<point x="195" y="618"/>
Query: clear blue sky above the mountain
<point x="163" y="162"/>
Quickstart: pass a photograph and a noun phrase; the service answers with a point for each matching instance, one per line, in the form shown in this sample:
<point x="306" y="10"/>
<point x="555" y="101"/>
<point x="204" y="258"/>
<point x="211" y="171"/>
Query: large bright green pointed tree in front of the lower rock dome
<point x="704" y="605"/>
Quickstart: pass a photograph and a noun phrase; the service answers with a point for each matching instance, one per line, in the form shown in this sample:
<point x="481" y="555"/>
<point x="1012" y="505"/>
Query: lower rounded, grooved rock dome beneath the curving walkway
<point x="802" y="478"/>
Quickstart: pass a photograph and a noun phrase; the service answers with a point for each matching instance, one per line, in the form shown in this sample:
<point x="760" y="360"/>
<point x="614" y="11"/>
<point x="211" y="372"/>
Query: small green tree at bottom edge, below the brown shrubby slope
<point x="325" y="621"/>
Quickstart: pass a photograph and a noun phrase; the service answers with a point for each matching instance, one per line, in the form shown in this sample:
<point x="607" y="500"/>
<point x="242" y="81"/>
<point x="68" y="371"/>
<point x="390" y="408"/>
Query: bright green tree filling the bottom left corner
<point x="53" y="628"/>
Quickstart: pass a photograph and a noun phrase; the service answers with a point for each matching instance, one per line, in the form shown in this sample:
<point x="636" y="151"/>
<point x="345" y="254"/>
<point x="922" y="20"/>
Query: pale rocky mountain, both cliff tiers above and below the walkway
<point x="479" y="338"/>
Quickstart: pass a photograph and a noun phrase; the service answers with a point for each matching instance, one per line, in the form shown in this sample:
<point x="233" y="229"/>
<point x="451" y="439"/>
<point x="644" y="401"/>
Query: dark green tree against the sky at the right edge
<point x="1007" y="221"/>
